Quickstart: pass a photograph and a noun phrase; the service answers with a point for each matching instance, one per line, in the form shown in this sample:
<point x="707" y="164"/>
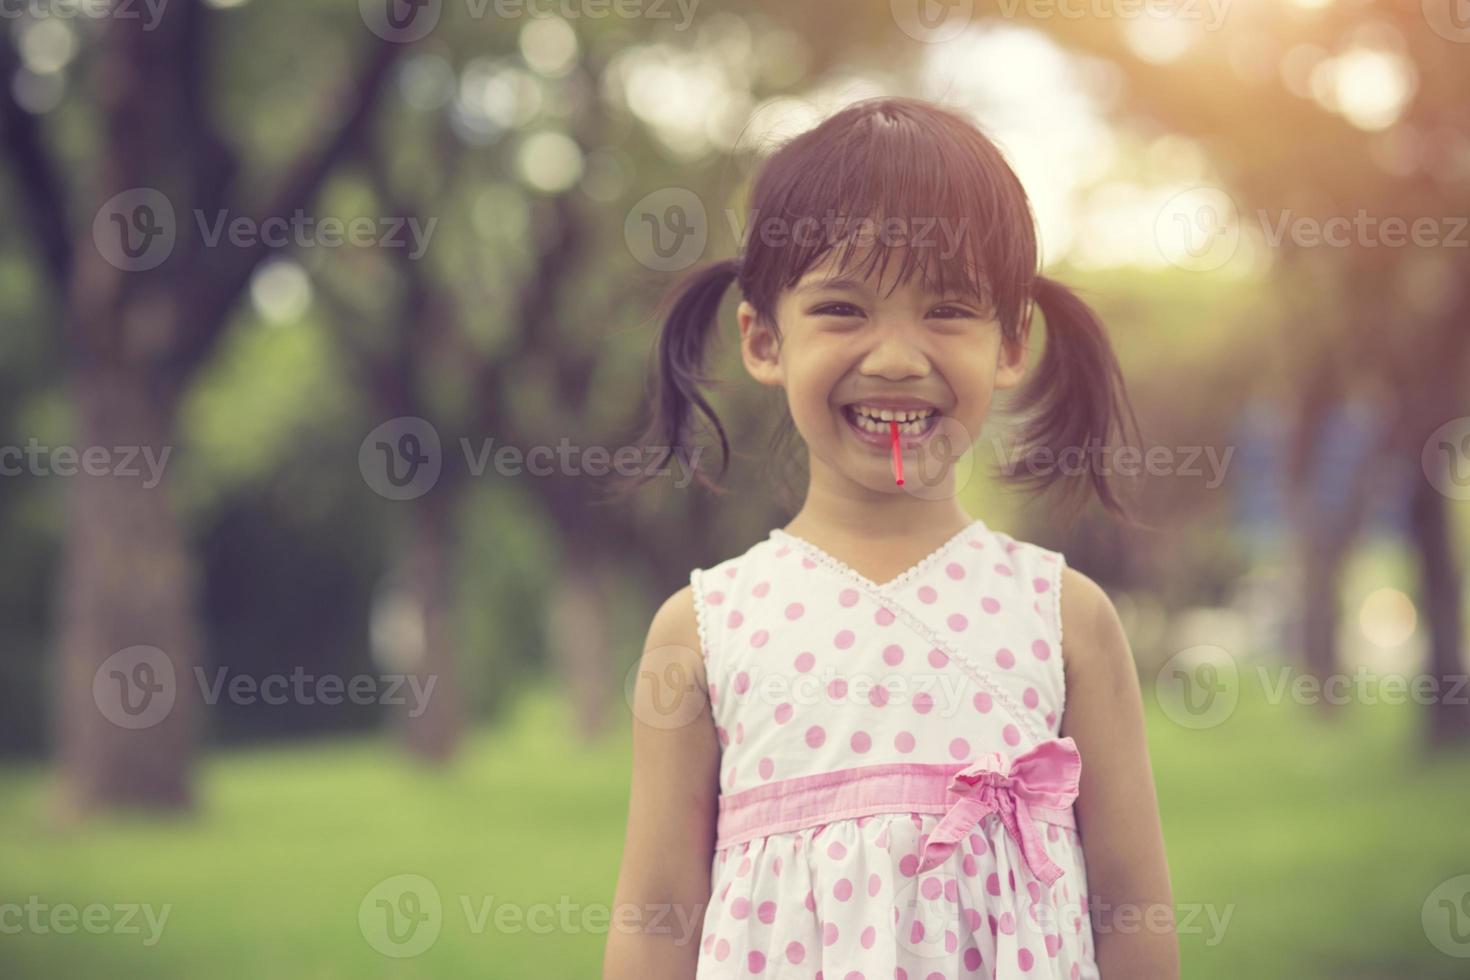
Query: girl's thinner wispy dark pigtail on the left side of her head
<point x="690" y="311"/>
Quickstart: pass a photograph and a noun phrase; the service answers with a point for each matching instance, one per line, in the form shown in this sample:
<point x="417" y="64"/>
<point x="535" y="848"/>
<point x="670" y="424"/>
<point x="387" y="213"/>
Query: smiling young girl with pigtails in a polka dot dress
<point x="911" y="747"/>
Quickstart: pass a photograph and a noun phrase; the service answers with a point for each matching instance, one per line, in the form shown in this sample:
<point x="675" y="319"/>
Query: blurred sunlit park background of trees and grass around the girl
<point x="311" y="671"/>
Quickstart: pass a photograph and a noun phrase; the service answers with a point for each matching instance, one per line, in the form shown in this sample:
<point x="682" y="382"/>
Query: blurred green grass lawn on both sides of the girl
<point x="1319" y="840"/>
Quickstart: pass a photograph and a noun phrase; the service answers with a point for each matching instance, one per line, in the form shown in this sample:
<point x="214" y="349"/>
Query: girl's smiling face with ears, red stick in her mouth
<point x="852" y="343"/>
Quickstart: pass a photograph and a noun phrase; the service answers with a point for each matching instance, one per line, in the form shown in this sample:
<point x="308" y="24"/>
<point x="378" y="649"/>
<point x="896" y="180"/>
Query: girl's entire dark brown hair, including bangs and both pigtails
<point x="921" y="162"/>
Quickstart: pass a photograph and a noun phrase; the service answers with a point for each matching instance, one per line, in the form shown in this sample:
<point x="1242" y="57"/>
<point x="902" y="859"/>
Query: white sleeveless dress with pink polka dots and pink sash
<point x="896" y="801"/>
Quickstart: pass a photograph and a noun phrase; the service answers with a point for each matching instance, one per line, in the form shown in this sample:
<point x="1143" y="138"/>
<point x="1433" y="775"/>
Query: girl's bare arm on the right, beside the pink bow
<point x="1118" y="812"/>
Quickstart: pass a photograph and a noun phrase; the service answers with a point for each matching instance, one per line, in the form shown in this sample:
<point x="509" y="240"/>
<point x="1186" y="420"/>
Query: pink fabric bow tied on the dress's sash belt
<point x="1043" y="777"/>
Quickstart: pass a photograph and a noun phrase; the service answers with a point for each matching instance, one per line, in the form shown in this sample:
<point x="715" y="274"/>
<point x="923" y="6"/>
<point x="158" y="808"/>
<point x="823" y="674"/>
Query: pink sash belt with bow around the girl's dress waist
<point x="1039" y="785"/>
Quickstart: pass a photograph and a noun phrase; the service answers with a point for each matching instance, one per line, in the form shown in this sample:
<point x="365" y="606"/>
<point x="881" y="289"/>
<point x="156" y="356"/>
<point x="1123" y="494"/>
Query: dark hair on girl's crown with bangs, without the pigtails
<point x="899" y="198"/>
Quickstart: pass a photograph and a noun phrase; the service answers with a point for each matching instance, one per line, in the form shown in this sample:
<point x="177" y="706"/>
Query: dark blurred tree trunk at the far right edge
<point x="1441" y="588"/>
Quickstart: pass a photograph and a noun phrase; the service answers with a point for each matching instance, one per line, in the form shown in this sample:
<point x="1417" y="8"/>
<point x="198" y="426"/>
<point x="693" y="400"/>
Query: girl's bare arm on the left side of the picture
<point x="665" y="882"/>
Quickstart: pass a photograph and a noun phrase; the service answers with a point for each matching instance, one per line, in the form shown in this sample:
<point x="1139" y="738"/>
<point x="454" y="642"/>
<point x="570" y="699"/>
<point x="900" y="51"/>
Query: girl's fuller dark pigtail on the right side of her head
<point x="1075" y="405"/>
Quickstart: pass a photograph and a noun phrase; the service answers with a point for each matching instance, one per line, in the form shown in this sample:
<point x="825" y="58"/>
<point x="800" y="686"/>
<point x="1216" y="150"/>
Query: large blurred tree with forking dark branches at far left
<point x="136" y="337"/>
